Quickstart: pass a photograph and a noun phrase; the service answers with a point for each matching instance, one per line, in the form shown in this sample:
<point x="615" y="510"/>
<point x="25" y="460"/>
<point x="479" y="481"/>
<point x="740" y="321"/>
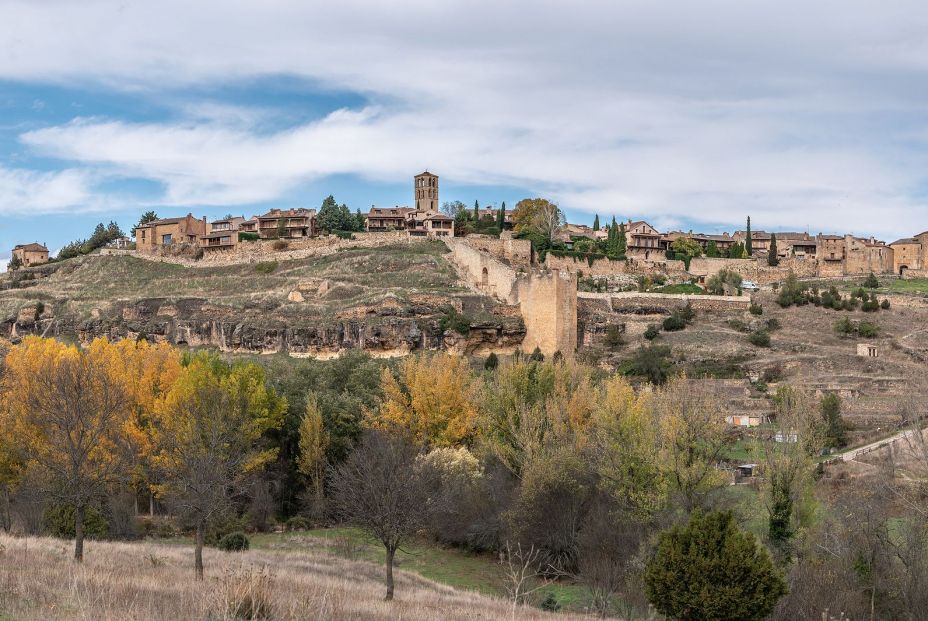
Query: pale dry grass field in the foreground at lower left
<point x="152" y="582"/>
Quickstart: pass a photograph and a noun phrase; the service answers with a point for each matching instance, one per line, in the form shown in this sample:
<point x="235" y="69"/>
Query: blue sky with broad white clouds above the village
<point x="691" y="115"/>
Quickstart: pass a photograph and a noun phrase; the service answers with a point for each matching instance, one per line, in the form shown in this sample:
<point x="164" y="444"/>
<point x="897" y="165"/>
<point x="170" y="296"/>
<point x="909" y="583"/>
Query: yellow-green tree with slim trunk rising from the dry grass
<point x="209" y="437"/>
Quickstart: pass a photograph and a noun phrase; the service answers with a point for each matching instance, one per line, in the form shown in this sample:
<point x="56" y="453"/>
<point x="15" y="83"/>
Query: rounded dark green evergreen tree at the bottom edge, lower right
<point x="711" y="569"/>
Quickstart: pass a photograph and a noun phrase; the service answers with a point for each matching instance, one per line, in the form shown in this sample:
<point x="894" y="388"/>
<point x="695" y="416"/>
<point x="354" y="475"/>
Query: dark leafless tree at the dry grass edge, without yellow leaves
<point x="381" y="489"/>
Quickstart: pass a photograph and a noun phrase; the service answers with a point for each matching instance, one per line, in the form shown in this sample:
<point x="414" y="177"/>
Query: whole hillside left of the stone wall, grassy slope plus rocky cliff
<point x="380" y="299"/>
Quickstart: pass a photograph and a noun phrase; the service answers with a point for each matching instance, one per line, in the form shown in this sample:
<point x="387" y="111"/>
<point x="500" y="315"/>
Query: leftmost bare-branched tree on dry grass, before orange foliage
<point x="75" y="411"/>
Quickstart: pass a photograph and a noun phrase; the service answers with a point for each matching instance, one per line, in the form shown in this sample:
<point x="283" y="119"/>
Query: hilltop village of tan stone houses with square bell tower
<point x="808" y="255"/>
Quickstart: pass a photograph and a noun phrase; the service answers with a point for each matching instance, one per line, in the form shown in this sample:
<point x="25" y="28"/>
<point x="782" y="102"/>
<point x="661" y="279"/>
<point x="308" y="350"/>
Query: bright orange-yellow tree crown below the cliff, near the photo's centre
<point x="431" y="399"/>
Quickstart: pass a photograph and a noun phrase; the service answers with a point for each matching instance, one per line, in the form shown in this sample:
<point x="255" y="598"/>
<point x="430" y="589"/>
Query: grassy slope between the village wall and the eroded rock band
<point x="357" y="276"/>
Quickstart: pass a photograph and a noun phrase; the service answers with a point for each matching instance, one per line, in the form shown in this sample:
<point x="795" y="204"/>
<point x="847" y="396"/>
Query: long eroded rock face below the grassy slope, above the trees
<point x="194" y="322"/>
